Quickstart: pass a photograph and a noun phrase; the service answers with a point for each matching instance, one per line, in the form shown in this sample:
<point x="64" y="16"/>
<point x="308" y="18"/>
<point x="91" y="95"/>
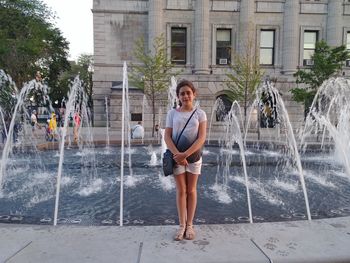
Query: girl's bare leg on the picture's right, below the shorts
<point x="191" y="182"/>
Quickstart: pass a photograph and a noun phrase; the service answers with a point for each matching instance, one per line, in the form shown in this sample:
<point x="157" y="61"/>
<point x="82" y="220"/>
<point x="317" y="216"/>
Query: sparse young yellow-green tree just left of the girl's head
<point x="152" y="76"/>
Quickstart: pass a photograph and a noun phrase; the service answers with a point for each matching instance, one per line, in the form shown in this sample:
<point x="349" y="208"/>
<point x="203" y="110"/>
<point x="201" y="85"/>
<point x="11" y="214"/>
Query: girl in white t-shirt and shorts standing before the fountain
<point x="187" y="154"/>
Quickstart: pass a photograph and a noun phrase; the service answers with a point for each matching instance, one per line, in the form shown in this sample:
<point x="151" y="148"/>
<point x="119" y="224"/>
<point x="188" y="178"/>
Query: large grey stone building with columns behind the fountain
<point x="201" y="36"/>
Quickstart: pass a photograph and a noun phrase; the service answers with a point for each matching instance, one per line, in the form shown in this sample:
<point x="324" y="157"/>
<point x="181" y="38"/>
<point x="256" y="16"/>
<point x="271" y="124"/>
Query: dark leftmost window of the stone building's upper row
<point x="178" y="45"/>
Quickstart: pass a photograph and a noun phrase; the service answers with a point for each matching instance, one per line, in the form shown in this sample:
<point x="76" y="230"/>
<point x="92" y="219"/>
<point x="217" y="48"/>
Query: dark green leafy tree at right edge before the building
<point x="328" y="62"/>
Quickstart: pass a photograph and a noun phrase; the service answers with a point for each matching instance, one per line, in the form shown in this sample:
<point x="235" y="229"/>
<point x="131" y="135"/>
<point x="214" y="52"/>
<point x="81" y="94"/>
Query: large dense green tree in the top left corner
<point x="29" y="42"/>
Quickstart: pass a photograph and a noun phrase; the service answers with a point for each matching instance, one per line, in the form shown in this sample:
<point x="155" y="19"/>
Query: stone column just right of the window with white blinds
<point x="290" y="45"/>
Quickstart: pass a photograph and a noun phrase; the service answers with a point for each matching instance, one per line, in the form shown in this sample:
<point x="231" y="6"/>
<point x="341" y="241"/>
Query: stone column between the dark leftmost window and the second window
<point x="201" y="37"/>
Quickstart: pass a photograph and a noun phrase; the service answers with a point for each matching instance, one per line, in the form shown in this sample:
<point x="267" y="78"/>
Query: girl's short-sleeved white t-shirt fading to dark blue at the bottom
<point x="177" y="120"/>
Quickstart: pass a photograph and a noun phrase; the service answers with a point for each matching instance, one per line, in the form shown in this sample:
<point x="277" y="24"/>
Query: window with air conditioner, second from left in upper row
<point x="223" y="46"/>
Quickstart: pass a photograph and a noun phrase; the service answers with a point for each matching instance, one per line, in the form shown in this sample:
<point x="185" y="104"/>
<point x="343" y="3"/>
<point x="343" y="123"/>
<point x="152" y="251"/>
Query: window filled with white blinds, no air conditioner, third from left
<point x="267" y="47"/>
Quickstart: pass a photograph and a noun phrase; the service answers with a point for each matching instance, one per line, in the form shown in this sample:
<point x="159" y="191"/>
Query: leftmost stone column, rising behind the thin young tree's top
<point x="155" y="21"/>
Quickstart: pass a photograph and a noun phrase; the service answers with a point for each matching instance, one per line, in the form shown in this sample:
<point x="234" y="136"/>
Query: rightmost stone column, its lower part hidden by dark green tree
<point x="334" y="22"/>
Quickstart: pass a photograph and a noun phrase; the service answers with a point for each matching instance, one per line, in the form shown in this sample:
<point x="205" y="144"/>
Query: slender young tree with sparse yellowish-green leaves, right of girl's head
<point x="244" y="77"/>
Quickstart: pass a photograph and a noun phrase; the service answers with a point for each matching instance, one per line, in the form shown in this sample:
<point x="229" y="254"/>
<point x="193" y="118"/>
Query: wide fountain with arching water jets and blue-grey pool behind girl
<point x="242" y="181"/>
